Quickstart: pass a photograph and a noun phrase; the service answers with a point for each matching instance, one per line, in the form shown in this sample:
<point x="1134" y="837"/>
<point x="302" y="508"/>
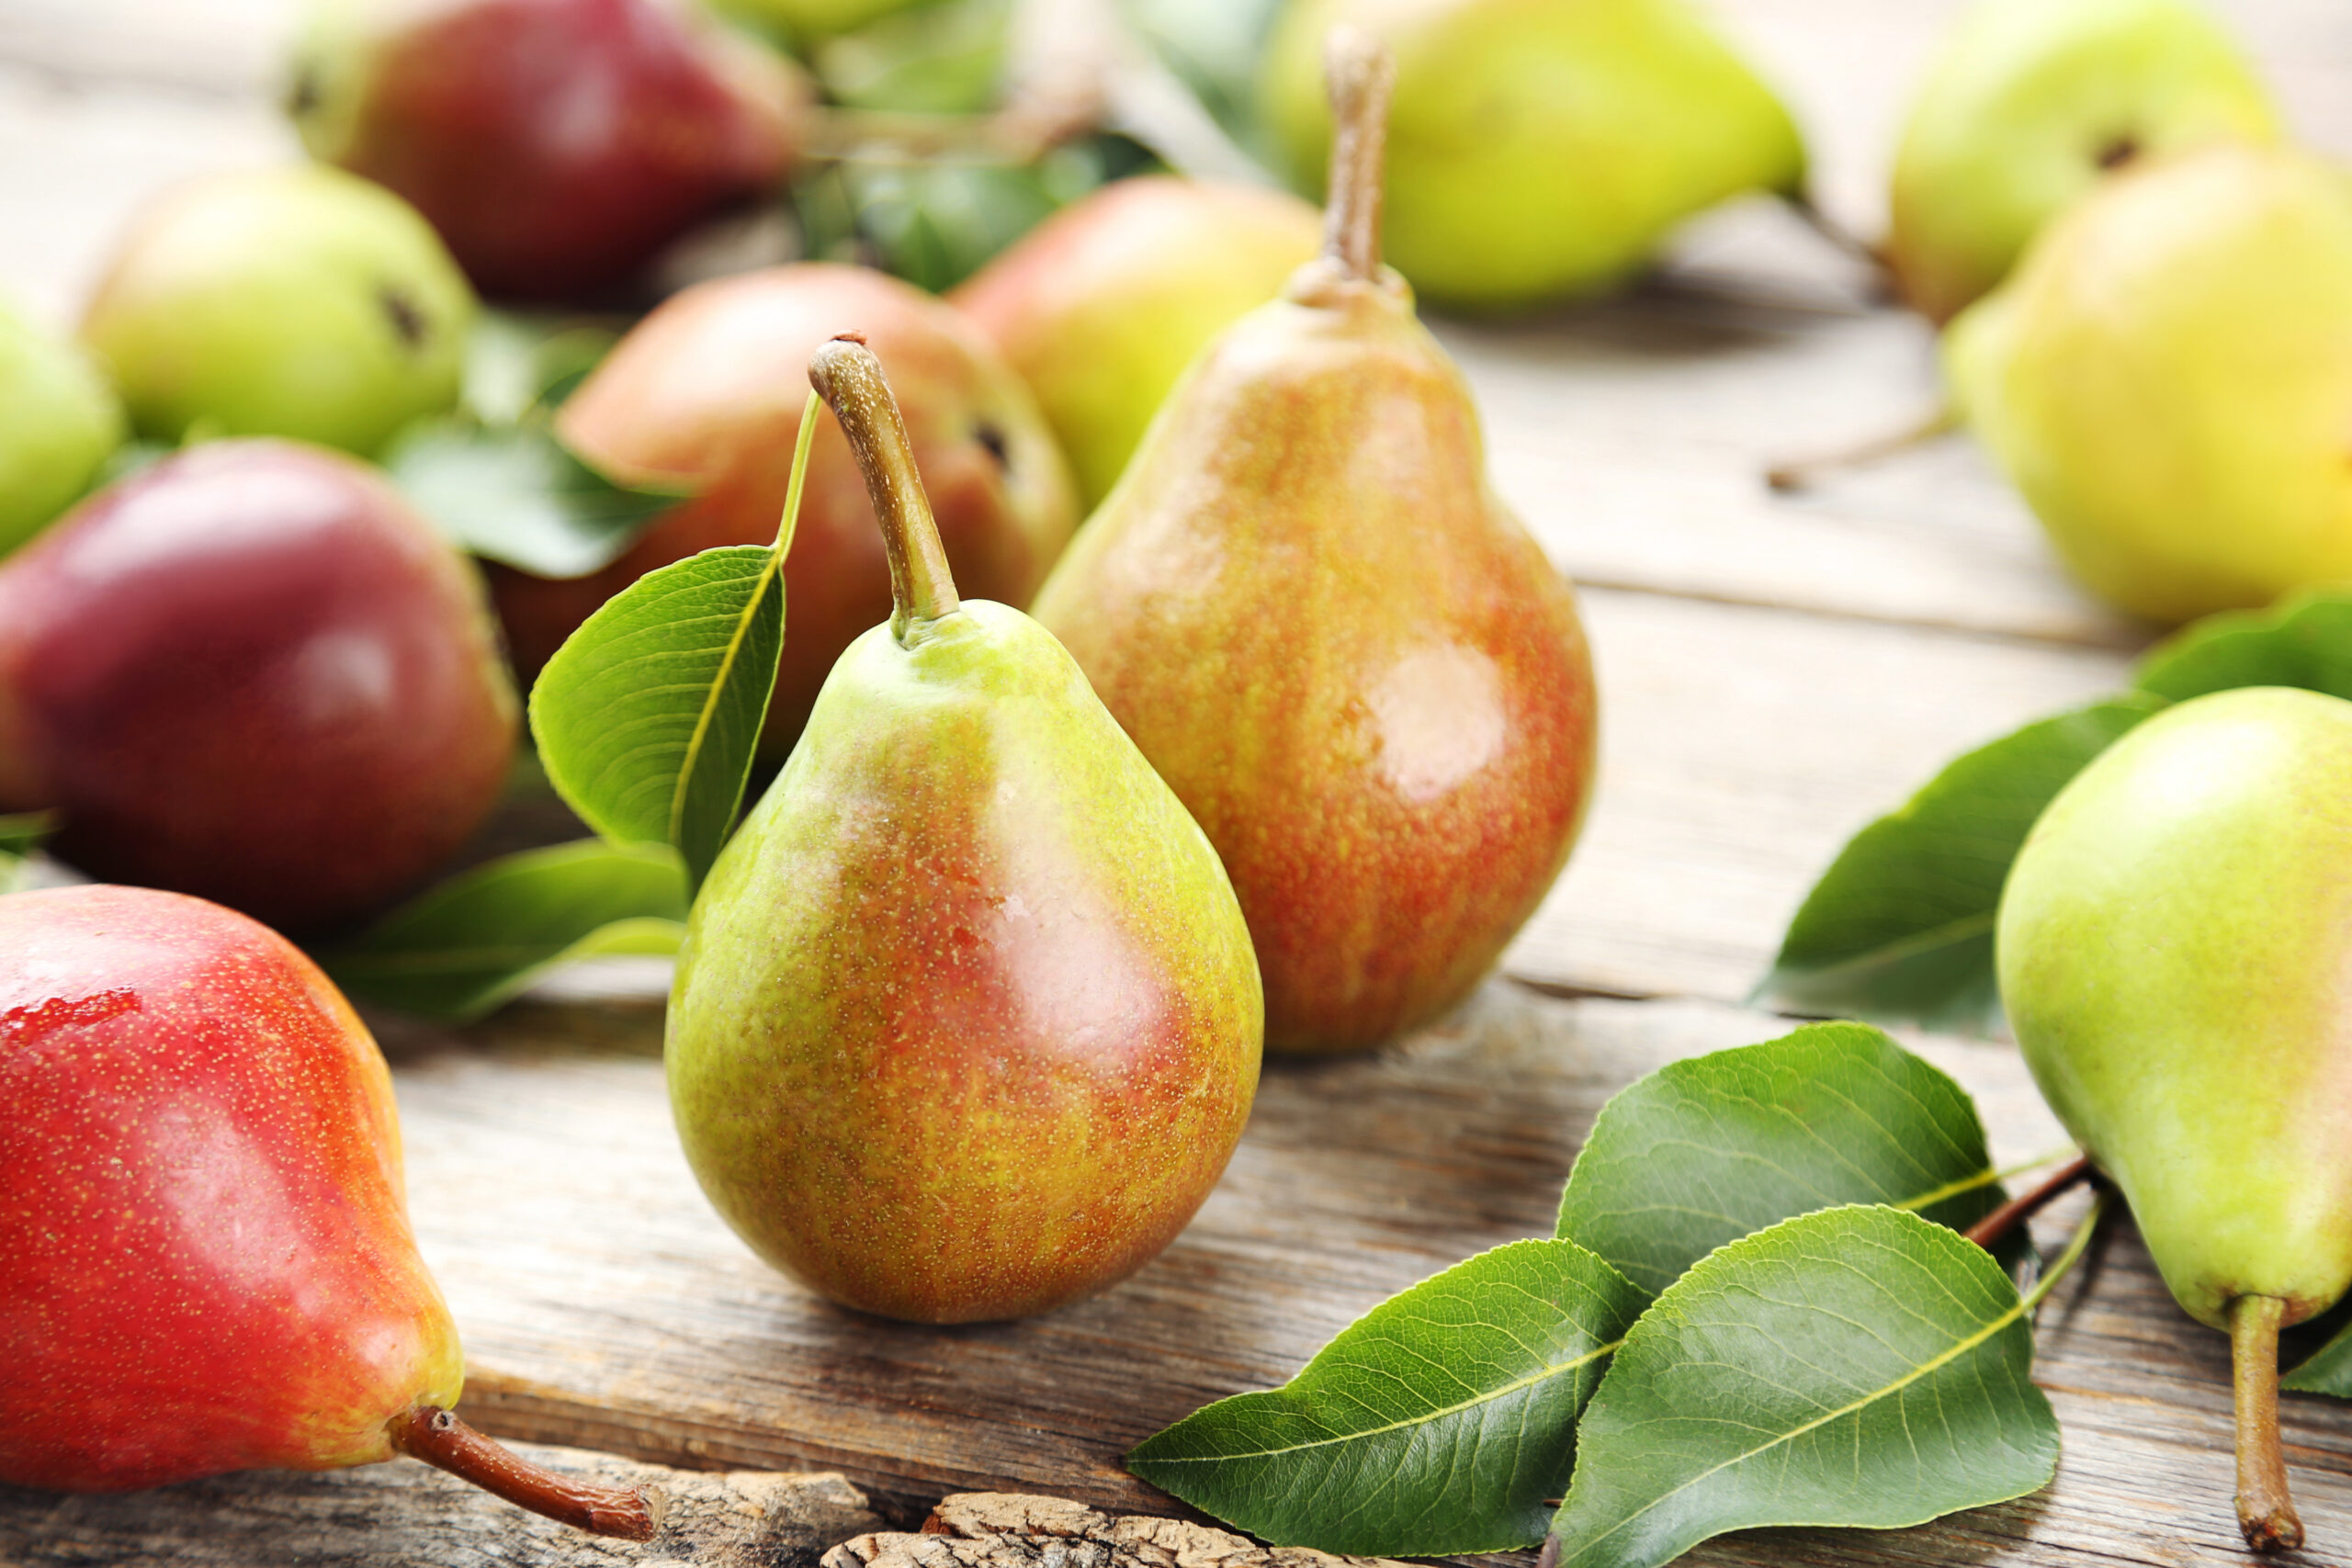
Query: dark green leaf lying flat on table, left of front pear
<point x="488" y="934"/>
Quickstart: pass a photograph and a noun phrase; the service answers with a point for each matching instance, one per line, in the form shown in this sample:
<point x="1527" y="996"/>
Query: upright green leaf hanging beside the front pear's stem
<point x="650" y="713"/>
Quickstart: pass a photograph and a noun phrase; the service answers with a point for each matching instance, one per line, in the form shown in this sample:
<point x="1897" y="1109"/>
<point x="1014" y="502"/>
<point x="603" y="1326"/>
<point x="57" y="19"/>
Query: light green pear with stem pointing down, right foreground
<point x="2177" y="960"/>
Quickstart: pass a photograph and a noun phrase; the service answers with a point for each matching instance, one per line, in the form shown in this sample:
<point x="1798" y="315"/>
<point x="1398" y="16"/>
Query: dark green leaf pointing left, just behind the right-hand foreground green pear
<point x="1902" y="925"/>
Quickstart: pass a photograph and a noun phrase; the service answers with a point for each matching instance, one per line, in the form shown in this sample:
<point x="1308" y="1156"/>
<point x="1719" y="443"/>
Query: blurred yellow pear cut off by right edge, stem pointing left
<point x="2170" y="382"/>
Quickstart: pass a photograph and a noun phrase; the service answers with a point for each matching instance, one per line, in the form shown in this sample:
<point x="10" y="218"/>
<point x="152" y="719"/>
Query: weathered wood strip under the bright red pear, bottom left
<point x="408" y="1515"/>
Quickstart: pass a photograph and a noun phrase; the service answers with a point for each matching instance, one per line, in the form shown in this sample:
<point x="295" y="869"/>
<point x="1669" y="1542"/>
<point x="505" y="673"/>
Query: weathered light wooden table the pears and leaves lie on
<point x="1775" y="674"/>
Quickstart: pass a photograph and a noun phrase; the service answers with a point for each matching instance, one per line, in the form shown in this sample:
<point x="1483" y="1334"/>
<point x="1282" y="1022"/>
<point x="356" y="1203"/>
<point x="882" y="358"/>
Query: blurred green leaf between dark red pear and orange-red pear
<point x="516" y="495"/>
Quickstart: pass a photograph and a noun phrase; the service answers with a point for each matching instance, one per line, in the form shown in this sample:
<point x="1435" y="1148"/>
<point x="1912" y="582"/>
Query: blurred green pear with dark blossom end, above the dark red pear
<point x="293" y="302"/>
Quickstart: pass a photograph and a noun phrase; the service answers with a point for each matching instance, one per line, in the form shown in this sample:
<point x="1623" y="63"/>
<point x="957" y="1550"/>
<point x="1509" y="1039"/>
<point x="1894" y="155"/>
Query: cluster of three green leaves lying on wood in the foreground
<point x="1758" y="1311"/>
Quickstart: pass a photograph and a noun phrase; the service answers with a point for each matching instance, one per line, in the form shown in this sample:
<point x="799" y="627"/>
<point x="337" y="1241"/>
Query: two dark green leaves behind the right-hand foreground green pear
<point x="1902" y="925"/>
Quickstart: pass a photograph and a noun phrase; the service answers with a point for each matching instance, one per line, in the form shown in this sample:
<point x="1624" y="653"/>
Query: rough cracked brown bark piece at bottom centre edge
<point x="1022" y="1532"/>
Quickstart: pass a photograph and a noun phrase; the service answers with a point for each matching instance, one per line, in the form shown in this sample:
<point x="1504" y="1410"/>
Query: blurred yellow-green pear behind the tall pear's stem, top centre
<point x="1539" y="149"/>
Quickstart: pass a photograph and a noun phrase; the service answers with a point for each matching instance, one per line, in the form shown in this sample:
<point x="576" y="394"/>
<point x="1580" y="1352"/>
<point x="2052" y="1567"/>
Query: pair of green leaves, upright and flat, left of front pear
<point x="648" y="723"/>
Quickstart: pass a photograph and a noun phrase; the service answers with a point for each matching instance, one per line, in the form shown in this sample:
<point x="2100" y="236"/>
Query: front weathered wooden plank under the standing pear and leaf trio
<point x="603" y="1304"/>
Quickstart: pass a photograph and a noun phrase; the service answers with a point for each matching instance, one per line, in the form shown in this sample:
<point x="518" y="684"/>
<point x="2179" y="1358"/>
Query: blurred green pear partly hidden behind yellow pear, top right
<point x="2031" y="105"/>
